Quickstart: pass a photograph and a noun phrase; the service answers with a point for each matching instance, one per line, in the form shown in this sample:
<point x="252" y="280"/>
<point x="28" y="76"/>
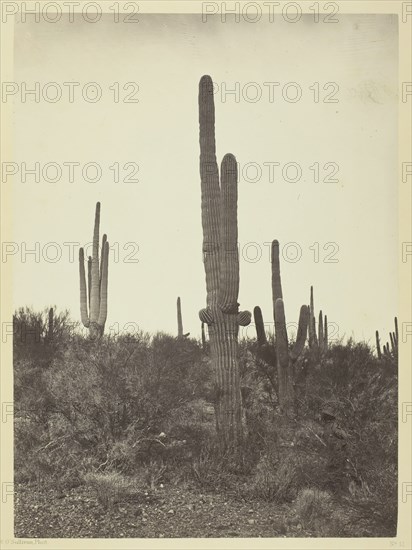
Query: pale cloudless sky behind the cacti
<point x="166" y="56"/>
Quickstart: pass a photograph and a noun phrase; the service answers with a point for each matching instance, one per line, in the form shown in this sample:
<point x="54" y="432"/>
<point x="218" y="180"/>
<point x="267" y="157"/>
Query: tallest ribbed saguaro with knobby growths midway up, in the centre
<point x="221" y="261"/>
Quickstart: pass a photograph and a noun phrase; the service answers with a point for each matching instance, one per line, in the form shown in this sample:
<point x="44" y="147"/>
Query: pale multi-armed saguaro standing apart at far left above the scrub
<point x="93" y="300"/>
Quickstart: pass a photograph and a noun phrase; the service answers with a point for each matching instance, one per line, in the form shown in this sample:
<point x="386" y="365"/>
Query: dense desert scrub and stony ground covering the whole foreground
<point x="129" y="423"/>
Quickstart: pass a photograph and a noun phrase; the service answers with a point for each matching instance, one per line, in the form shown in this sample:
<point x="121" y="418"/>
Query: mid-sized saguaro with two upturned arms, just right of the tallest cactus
<point x="281" y="356"/>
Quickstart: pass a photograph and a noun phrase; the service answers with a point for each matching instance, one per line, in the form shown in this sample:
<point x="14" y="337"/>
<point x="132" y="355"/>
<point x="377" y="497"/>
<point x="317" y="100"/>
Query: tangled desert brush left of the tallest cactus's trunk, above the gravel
<point x="100" y="405"/>
